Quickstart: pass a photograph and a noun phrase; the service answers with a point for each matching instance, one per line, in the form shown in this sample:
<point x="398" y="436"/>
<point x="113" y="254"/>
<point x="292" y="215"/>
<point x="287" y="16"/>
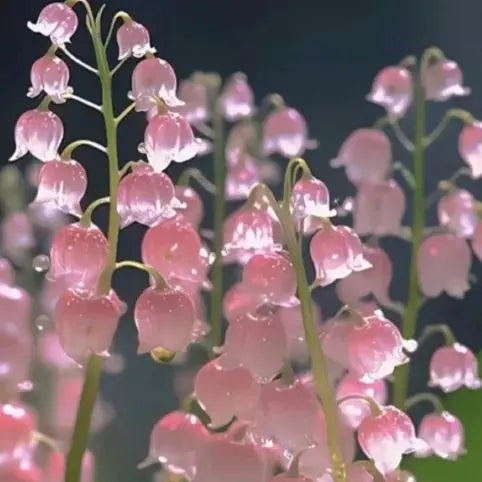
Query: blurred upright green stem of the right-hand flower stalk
<point x="418" y="219"/>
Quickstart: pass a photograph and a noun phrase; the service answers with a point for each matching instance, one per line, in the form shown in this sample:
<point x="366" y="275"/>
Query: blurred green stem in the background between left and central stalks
<point x="219" y="212"/>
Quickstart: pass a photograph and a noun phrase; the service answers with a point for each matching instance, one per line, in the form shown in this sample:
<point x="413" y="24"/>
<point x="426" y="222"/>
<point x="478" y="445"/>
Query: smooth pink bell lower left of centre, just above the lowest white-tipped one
<point x="225" y="393"/>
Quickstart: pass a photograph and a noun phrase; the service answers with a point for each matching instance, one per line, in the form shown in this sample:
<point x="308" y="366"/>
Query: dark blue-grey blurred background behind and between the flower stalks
<point x="321" y="57"/>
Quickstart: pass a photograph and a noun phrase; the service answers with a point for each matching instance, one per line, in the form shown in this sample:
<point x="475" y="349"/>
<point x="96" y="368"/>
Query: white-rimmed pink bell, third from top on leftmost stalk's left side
<point x="39" y="132"/>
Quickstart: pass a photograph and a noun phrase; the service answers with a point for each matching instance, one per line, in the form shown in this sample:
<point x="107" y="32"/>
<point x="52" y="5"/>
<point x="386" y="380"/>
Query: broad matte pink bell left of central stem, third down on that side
<point x="258" y="342"/>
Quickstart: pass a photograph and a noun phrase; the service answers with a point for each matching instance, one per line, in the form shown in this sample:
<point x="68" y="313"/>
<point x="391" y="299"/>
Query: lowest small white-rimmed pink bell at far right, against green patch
<point x="443" y="434"/>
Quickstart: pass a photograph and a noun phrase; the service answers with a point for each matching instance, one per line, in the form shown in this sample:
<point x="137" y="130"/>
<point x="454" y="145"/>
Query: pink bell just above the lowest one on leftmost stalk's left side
<point x="78" y="254"/>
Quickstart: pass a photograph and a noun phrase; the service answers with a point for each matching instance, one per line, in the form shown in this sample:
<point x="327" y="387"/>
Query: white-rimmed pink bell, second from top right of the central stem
<point x="336" y="251"/>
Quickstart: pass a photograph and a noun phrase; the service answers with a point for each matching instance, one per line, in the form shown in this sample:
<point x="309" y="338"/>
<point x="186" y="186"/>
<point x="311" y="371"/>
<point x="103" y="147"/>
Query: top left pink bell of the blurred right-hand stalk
<point x="392" y="89"/>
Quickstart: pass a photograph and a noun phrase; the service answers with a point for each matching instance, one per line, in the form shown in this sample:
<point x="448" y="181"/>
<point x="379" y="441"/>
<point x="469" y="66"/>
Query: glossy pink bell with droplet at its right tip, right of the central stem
<point x="375" y="348"/>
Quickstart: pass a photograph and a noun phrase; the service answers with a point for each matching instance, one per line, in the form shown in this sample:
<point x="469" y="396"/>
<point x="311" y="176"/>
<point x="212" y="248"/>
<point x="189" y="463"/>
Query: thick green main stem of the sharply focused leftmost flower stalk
<point x="94" y="366"/>
